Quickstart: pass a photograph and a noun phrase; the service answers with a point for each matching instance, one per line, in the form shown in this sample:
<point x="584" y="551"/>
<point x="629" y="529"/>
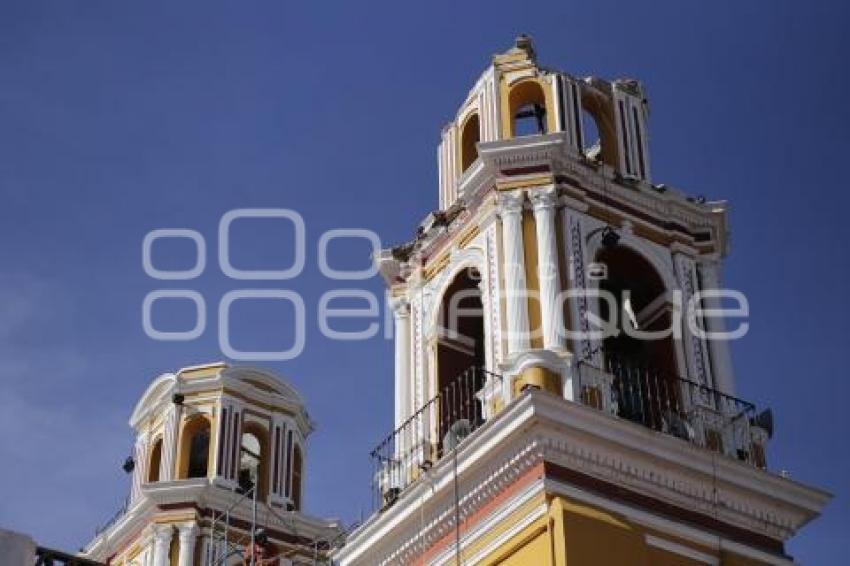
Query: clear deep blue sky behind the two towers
<point x="117" y="118"/>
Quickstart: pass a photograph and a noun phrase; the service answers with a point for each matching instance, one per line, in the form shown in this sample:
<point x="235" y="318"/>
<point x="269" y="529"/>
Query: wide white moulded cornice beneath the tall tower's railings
<point x="591" y="451"/>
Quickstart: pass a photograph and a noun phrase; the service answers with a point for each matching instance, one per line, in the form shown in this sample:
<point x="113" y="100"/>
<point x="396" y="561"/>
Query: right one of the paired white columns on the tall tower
<point x="552" y="312"/>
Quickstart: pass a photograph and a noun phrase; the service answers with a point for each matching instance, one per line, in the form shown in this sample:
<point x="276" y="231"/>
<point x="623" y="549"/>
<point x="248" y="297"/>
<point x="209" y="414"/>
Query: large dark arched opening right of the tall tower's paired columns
<point x="644" y="367"/>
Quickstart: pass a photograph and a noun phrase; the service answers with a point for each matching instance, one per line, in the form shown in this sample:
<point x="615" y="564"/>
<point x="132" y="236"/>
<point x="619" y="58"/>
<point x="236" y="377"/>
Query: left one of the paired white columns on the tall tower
<point x="516" y="288"/>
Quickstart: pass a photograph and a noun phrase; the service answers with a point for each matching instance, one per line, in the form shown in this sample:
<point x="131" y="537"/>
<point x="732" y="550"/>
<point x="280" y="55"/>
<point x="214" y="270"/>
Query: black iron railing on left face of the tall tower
<point x="434" y="430"/>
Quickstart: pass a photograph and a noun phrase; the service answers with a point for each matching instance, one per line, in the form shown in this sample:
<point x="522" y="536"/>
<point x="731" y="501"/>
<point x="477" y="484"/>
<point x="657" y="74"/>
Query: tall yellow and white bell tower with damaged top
<point x="524" y="436"/>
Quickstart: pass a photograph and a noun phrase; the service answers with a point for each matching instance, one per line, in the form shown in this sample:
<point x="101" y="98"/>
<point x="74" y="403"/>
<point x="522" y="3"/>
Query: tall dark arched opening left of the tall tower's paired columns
<point x="460" y="355"/>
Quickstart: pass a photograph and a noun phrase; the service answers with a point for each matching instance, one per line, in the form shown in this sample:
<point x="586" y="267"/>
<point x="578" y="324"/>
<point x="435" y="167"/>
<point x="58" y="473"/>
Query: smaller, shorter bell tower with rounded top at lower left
<point x="217" y="475"/>
